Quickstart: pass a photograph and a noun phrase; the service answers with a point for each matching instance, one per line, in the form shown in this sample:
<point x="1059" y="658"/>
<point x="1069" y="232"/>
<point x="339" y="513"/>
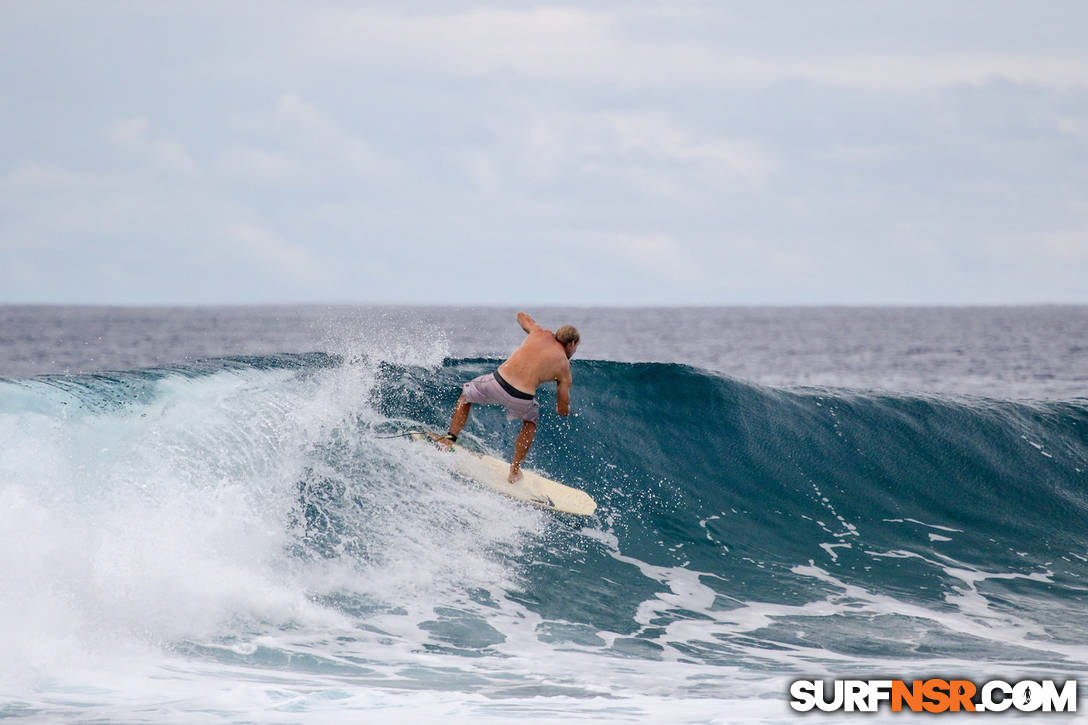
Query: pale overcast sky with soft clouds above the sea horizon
<point x="566" y="154"/>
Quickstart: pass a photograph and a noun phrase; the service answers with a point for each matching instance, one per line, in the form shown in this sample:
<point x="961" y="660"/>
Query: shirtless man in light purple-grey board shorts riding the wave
<point x="543" y="358"/>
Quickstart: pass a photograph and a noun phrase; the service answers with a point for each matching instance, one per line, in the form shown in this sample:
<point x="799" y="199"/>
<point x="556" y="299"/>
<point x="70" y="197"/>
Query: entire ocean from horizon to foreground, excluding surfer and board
<point x="206" y="514"/>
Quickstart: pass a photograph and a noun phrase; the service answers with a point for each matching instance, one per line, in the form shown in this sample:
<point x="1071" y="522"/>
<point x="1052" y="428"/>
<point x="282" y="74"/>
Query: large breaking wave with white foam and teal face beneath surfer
<point x="261" y="511"/>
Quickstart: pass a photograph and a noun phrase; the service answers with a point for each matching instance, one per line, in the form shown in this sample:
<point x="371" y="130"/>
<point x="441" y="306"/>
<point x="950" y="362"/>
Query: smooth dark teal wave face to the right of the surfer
<point x="778" y="498"/>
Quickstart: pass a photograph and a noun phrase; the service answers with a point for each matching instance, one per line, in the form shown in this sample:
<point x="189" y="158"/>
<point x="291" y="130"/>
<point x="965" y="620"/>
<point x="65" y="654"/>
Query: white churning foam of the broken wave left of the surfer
<point x="131" y="531"/>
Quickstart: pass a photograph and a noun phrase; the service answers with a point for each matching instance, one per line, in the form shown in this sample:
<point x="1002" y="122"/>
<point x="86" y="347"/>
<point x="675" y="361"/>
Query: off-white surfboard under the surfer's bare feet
<point x="533" y="488"/>
